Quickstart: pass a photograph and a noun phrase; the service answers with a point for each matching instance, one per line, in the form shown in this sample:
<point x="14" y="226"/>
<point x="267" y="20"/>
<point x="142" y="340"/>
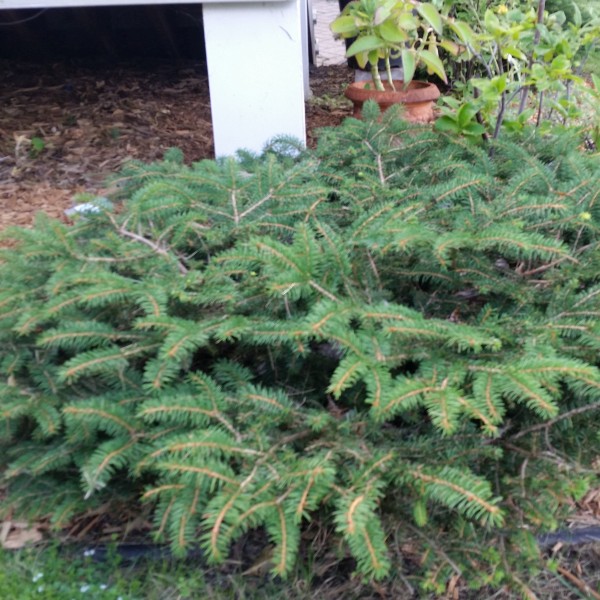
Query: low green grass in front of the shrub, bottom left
<point x="49" y="573"/>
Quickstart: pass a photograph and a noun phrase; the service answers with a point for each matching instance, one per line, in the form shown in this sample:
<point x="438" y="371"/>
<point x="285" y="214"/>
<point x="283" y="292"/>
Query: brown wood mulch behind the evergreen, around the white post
<point x="65" y="127"/>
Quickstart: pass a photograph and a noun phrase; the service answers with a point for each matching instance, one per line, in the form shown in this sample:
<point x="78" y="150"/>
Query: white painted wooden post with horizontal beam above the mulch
<point x="257" y="55"/>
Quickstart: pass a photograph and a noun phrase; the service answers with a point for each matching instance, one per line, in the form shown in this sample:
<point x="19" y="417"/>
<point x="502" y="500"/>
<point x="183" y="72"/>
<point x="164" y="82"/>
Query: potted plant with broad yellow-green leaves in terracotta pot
<point x="406" y="29"/>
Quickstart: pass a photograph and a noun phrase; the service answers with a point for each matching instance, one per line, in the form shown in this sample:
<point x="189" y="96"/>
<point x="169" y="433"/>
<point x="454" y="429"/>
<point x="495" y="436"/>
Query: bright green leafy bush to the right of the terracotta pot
<point x="522" y="63"/>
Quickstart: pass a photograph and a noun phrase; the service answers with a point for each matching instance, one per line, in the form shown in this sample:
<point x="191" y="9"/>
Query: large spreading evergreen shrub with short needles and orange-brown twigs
<point x="372" y="335"/>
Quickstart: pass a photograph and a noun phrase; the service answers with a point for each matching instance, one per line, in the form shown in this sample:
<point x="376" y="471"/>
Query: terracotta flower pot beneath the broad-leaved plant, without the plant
<point x="417" y="99"/>
